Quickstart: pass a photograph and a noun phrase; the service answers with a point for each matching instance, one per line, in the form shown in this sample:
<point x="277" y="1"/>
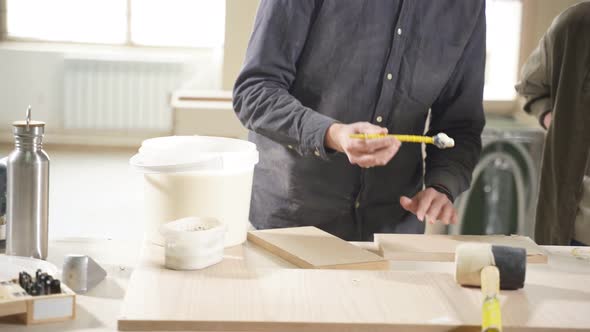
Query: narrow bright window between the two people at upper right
<point x="503" y="46"/>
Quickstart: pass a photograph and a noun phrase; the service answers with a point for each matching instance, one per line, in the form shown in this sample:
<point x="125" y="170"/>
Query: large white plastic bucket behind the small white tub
<point x="197" y="176"/>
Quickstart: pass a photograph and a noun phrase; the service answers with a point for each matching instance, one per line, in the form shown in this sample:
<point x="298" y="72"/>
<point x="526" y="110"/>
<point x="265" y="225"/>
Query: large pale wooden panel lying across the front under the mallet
<point x="233" y="296"/>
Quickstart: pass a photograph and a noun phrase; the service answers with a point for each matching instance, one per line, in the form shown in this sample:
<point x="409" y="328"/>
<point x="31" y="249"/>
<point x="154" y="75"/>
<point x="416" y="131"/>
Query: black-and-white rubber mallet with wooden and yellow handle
<point x="493" y="268"/>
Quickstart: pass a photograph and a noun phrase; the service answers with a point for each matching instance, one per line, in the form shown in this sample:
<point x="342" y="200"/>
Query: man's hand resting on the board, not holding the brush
<point x="431" y="204"/>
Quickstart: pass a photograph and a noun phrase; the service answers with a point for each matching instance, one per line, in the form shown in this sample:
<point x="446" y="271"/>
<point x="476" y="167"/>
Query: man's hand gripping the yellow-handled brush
<point x="363" y="152"/>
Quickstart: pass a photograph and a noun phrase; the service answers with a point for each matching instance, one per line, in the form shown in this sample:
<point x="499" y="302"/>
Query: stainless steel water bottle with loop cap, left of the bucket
<point x="27" y="193"/>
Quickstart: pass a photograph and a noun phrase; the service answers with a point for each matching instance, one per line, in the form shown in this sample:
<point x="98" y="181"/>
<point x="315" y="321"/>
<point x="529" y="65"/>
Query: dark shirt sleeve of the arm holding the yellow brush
<point x="261" y="97"/>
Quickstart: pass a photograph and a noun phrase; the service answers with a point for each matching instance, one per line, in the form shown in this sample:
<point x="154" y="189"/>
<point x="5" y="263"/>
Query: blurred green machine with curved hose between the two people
<point x="504" y="188"/>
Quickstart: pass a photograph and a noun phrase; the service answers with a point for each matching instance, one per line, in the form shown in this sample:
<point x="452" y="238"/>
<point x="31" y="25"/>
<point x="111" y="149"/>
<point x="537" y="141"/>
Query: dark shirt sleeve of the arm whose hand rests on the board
<point x="458" y="112"/>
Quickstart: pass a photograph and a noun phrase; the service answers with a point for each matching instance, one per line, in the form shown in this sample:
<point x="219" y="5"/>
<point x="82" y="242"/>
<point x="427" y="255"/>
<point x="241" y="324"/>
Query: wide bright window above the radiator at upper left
<point x="175" y="23"/>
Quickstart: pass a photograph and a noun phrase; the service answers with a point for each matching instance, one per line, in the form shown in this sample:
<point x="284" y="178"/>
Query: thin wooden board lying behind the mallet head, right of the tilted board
<point x="441" y="248"/>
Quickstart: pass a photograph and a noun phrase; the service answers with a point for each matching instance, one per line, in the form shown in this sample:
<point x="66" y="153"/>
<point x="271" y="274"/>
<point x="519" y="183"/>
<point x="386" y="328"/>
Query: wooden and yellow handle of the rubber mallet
<point x="491" y="316"/>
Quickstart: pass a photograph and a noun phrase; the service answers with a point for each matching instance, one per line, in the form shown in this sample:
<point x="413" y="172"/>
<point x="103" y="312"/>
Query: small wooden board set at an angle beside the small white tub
<point x="312" y="248"/>
